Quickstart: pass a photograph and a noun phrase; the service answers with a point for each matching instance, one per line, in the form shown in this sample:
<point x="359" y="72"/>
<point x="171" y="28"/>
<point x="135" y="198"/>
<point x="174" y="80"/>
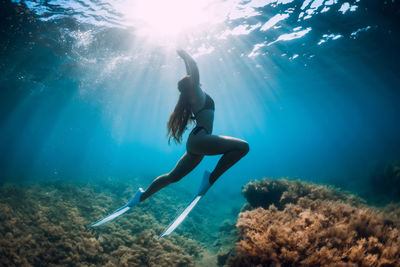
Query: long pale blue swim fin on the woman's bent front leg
<point x="205" y="185"/>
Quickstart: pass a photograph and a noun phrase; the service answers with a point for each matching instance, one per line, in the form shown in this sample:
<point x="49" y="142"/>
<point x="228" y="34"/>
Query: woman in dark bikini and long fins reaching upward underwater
<point x="193" y="105"/>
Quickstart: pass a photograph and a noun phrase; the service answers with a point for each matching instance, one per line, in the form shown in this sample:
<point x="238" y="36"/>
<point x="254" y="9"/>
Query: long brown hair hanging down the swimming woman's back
<point x="182" y="114"/>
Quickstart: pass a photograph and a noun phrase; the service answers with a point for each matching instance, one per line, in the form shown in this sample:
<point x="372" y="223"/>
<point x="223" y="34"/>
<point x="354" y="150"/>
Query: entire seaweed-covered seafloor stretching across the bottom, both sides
<point x="284" y="223"/>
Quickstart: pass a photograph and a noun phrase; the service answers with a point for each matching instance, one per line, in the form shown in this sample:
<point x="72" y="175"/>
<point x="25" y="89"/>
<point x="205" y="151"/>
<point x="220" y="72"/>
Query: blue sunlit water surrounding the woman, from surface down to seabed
<point x="86" y="88"/>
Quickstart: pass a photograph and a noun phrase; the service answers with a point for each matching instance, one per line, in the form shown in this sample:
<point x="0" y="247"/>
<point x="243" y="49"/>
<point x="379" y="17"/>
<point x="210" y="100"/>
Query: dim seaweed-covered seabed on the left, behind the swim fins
<point x="45" y="225"/>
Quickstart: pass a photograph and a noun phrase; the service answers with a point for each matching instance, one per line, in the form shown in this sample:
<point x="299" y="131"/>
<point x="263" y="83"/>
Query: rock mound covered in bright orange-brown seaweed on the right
<point x="319" y="226"/>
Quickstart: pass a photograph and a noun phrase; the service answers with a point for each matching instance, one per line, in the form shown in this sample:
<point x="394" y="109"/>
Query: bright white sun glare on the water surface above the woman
<point x="169" y="19"/>
